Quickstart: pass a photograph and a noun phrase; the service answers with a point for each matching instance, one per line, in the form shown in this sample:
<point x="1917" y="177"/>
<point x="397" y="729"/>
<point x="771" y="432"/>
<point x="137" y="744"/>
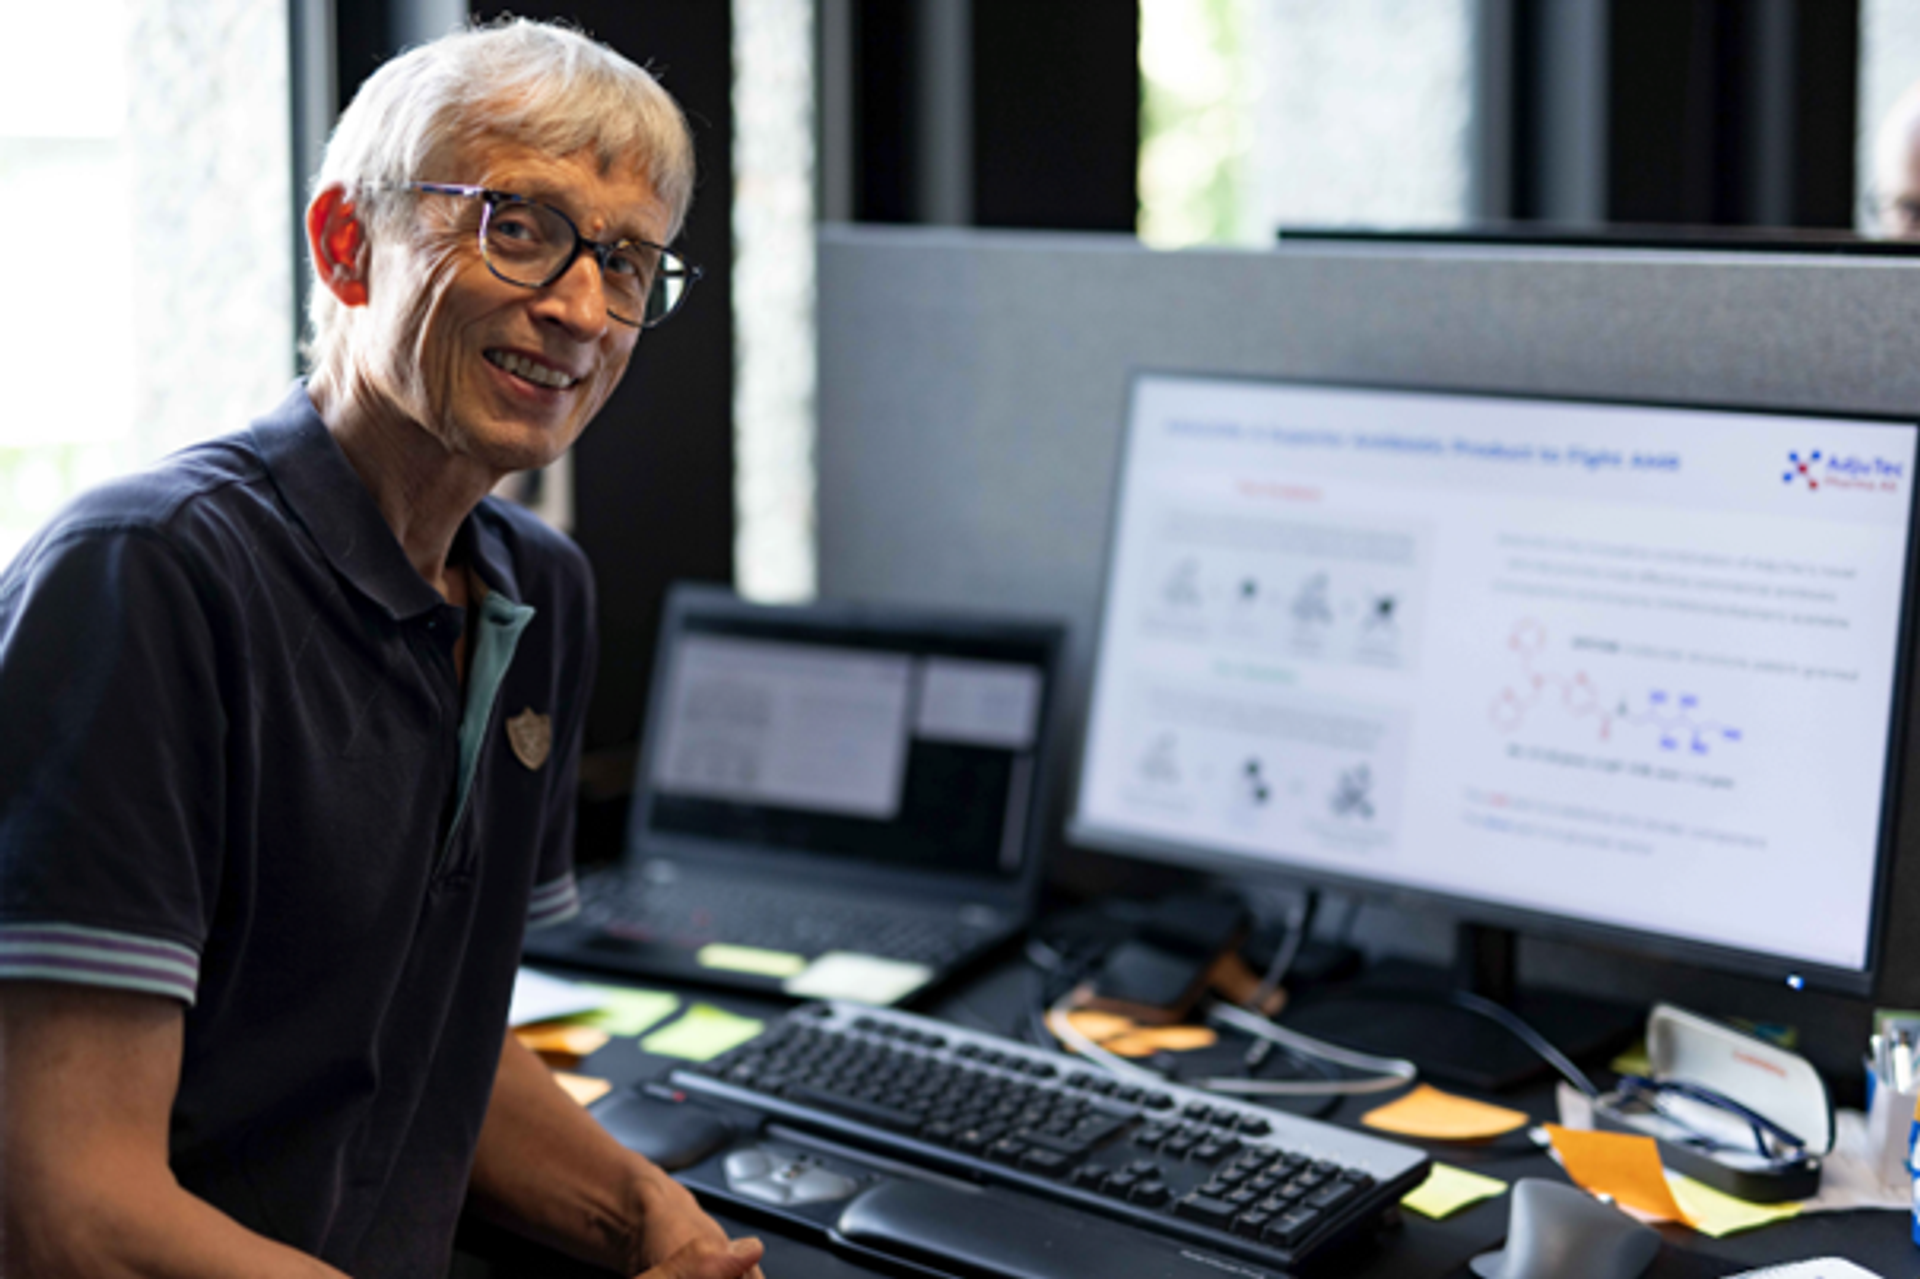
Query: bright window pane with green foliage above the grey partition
<point x="1312" y="112"/>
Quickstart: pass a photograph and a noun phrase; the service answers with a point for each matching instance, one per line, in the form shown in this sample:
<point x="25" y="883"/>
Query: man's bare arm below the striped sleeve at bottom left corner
<point x="87" y="1084"/>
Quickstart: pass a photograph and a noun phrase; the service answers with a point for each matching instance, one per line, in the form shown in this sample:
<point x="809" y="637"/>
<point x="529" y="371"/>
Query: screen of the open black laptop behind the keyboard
<point x="852" y="735"/>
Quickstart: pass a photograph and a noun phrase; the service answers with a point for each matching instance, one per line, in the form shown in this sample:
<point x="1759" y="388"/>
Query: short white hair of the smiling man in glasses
<point x="540" y="85"/>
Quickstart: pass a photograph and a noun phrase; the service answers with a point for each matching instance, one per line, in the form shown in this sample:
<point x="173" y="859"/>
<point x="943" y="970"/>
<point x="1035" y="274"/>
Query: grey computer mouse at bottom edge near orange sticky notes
<point x="1560" y="1232"/>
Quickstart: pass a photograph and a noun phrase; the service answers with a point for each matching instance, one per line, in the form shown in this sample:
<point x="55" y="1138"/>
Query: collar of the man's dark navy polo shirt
<point x="333" y="504"/>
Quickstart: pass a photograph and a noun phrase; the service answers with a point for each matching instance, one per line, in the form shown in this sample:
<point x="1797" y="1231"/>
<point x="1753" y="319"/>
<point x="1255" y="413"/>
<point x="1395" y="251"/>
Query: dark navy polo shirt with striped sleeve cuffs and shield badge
<point x="239" y="771"/>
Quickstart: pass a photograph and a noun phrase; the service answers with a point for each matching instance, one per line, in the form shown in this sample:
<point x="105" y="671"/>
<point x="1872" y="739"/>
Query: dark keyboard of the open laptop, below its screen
<point x="706" y="913"/>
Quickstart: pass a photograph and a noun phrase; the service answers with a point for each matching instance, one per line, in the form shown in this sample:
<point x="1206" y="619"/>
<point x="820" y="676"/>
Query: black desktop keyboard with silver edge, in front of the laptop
<point x="1188" y="1167"/>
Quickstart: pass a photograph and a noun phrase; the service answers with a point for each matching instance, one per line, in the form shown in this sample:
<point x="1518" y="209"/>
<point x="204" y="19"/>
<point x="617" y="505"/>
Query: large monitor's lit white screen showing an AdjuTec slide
<point x="1610" y="669"/>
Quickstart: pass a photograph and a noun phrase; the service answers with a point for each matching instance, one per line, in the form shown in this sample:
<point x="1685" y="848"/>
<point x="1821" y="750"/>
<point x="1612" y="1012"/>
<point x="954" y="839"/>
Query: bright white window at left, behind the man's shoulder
<point x="145" y="193"/>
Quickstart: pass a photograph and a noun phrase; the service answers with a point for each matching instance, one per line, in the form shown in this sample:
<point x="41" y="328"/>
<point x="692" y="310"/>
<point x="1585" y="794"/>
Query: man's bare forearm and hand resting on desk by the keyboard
<point x="546" y="1169"/>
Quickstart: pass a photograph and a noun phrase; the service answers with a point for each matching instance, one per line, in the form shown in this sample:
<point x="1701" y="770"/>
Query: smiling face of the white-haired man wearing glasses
<point x="492" y="372"/>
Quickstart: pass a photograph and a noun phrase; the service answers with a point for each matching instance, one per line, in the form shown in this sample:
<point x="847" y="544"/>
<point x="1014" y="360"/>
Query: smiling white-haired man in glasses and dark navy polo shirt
<point x="293" y="733"/>
